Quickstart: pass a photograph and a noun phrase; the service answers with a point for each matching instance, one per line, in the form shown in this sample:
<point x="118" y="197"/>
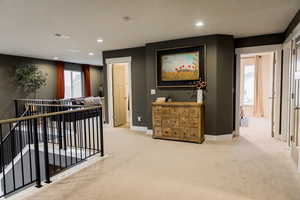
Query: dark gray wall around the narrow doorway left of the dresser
<point x="138" y="81"/>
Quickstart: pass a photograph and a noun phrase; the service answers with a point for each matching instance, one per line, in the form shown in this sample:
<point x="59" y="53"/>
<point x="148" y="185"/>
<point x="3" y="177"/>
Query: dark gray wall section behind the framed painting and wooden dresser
<point x="219" y="75"/>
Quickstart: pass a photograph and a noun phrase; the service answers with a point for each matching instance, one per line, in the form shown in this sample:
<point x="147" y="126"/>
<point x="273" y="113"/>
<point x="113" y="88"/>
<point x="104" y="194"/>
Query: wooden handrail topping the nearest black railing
<point x="5" y="121"/>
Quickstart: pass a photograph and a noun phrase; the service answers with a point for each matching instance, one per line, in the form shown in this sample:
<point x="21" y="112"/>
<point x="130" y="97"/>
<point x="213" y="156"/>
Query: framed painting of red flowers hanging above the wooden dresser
<point x="180" y="67"/>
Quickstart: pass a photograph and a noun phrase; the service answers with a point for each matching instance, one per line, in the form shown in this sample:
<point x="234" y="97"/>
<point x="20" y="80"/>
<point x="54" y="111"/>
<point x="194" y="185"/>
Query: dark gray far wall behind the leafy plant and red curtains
<point x="9" y="90"/>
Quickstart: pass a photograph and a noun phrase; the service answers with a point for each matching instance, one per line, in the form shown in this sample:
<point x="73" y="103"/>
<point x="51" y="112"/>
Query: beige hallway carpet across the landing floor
<point x="252" y="166"/>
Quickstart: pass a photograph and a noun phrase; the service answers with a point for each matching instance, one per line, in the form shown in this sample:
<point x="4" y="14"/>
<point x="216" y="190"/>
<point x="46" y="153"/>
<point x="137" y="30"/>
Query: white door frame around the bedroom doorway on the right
<point x="250" y="50"/>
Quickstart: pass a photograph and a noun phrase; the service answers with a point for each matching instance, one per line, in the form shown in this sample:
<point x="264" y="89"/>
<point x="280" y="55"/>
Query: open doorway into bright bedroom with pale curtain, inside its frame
<point x="257" y="95"/>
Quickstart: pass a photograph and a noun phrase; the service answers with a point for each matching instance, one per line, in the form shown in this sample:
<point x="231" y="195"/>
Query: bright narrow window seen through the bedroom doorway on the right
<point x="249" y="77"/>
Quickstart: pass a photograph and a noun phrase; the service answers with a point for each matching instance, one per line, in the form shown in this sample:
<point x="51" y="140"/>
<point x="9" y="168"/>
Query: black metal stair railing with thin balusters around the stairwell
<point x="46" y="141"/>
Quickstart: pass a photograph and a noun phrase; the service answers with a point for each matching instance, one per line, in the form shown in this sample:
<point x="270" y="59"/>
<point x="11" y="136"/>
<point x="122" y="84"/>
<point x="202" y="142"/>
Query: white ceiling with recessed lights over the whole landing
<point x="27" y="26"/>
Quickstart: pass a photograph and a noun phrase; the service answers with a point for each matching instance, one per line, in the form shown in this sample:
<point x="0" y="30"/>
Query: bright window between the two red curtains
<point x="73" y="84"/>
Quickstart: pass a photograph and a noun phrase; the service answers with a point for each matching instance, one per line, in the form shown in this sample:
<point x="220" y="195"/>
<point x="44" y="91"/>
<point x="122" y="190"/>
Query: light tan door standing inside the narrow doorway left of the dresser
<point x="119" y="95"/>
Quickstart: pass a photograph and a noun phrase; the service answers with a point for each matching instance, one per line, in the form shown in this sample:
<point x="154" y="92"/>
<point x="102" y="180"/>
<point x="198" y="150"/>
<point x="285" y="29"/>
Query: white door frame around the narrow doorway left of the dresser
<point x="109" y="63"/>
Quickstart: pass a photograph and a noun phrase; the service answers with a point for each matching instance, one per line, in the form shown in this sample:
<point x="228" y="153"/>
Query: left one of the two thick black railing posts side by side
<point x="37" y="154"/>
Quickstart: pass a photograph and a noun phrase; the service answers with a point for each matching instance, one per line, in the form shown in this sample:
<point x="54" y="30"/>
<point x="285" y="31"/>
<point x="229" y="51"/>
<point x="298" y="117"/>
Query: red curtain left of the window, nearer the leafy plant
<point x="60" y="81"/>
